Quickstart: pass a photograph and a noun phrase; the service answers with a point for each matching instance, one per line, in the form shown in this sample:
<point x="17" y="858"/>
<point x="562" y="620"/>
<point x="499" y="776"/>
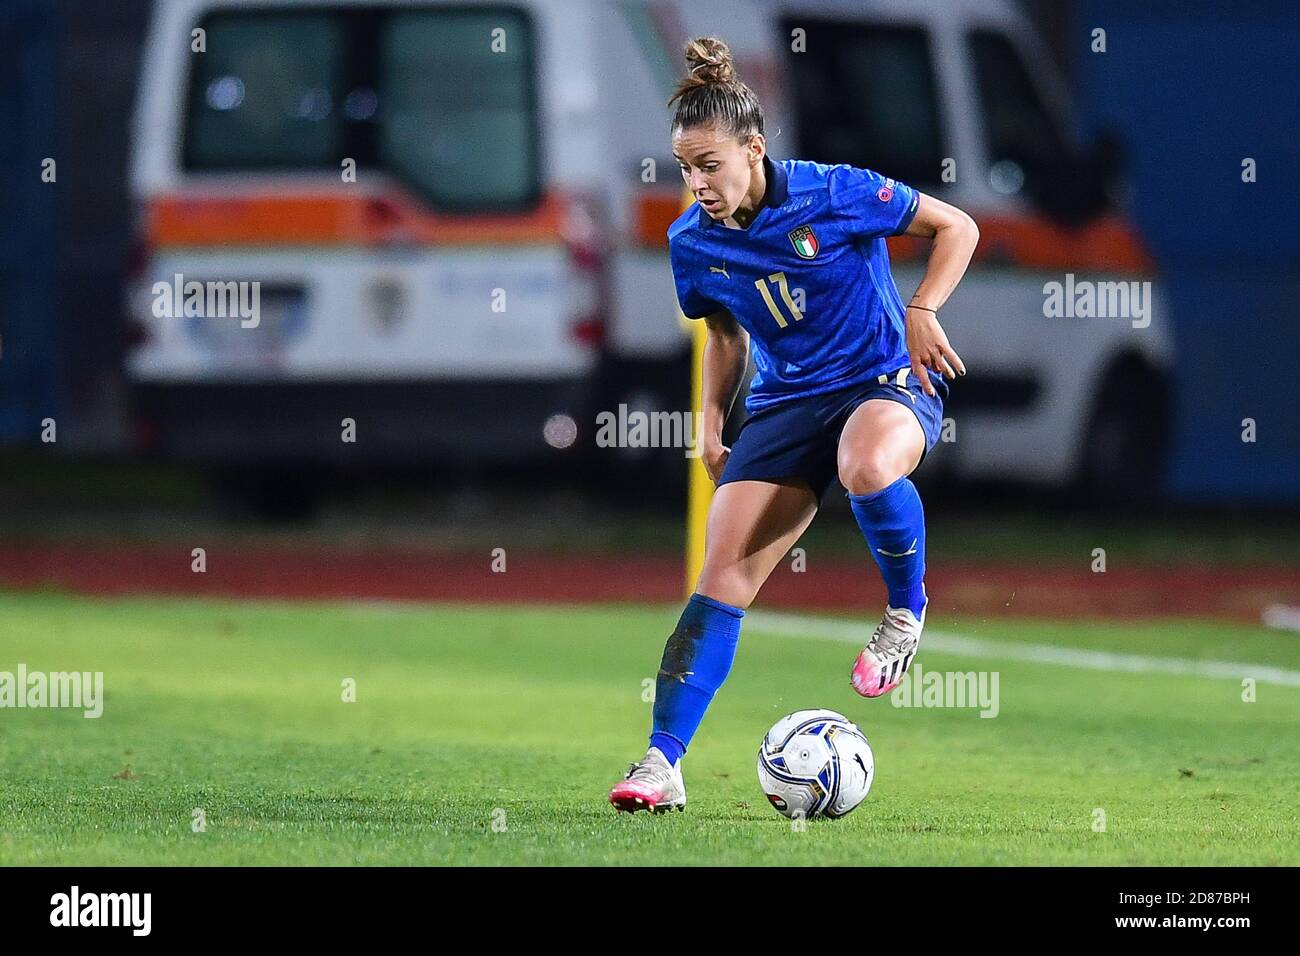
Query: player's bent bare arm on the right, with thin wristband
<point x="955" y="237"/>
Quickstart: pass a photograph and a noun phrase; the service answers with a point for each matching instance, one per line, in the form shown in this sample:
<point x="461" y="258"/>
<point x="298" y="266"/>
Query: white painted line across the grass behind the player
<point x="853" y="633"/>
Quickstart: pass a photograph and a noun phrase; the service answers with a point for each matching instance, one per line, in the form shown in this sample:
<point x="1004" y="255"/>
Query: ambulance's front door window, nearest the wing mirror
<point x="1025" y="144"/>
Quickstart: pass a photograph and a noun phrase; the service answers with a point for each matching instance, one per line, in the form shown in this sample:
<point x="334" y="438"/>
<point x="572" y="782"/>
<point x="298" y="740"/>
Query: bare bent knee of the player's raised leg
<point x="881" y="443"/>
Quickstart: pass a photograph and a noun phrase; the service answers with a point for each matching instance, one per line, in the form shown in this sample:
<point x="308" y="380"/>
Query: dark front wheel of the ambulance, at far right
<point x="1126" y="442"/>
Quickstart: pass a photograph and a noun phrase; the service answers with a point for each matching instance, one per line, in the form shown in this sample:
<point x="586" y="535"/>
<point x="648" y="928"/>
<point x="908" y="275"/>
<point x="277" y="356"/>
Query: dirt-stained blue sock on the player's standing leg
<point x="696" y="663"/>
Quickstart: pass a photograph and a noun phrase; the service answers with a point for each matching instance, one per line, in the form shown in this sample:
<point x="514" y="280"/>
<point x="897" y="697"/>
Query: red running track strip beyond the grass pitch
<point x="957" y="589"/>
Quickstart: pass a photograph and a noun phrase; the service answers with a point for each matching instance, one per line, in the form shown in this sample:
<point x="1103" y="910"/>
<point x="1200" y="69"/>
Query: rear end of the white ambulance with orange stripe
<point x="378" y="179"/>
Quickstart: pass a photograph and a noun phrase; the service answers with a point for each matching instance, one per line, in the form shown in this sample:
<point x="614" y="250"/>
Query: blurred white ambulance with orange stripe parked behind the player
<point x="456" y="218"/>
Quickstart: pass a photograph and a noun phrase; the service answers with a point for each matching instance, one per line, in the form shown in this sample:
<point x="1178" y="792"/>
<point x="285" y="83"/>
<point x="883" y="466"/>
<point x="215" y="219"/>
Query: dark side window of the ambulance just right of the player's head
<point x="865" y="94"/>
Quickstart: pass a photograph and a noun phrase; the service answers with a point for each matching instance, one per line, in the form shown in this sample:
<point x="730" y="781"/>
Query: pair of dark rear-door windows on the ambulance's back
<point x="421" y="94"/>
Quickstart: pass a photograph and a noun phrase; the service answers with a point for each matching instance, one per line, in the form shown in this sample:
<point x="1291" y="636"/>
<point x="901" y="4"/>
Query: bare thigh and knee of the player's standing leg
<point x="752" y="526"/>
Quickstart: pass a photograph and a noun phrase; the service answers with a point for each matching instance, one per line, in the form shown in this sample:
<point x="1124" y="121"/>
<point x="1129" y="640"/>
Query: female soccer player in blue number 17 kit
<point x="792" y="257"/>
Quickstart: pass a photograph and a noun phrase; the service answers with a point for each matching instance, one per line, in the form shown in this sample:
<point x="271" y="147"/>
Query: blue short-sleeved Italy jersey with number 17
<point x="809" y="280"/>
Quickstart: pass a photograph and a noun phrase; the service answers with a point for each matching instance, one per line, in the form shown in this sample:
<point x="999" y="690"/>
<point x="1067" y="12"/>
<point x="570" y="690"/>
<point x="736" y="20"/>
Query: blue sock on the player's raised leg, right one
<point x="894" y="521"/>
